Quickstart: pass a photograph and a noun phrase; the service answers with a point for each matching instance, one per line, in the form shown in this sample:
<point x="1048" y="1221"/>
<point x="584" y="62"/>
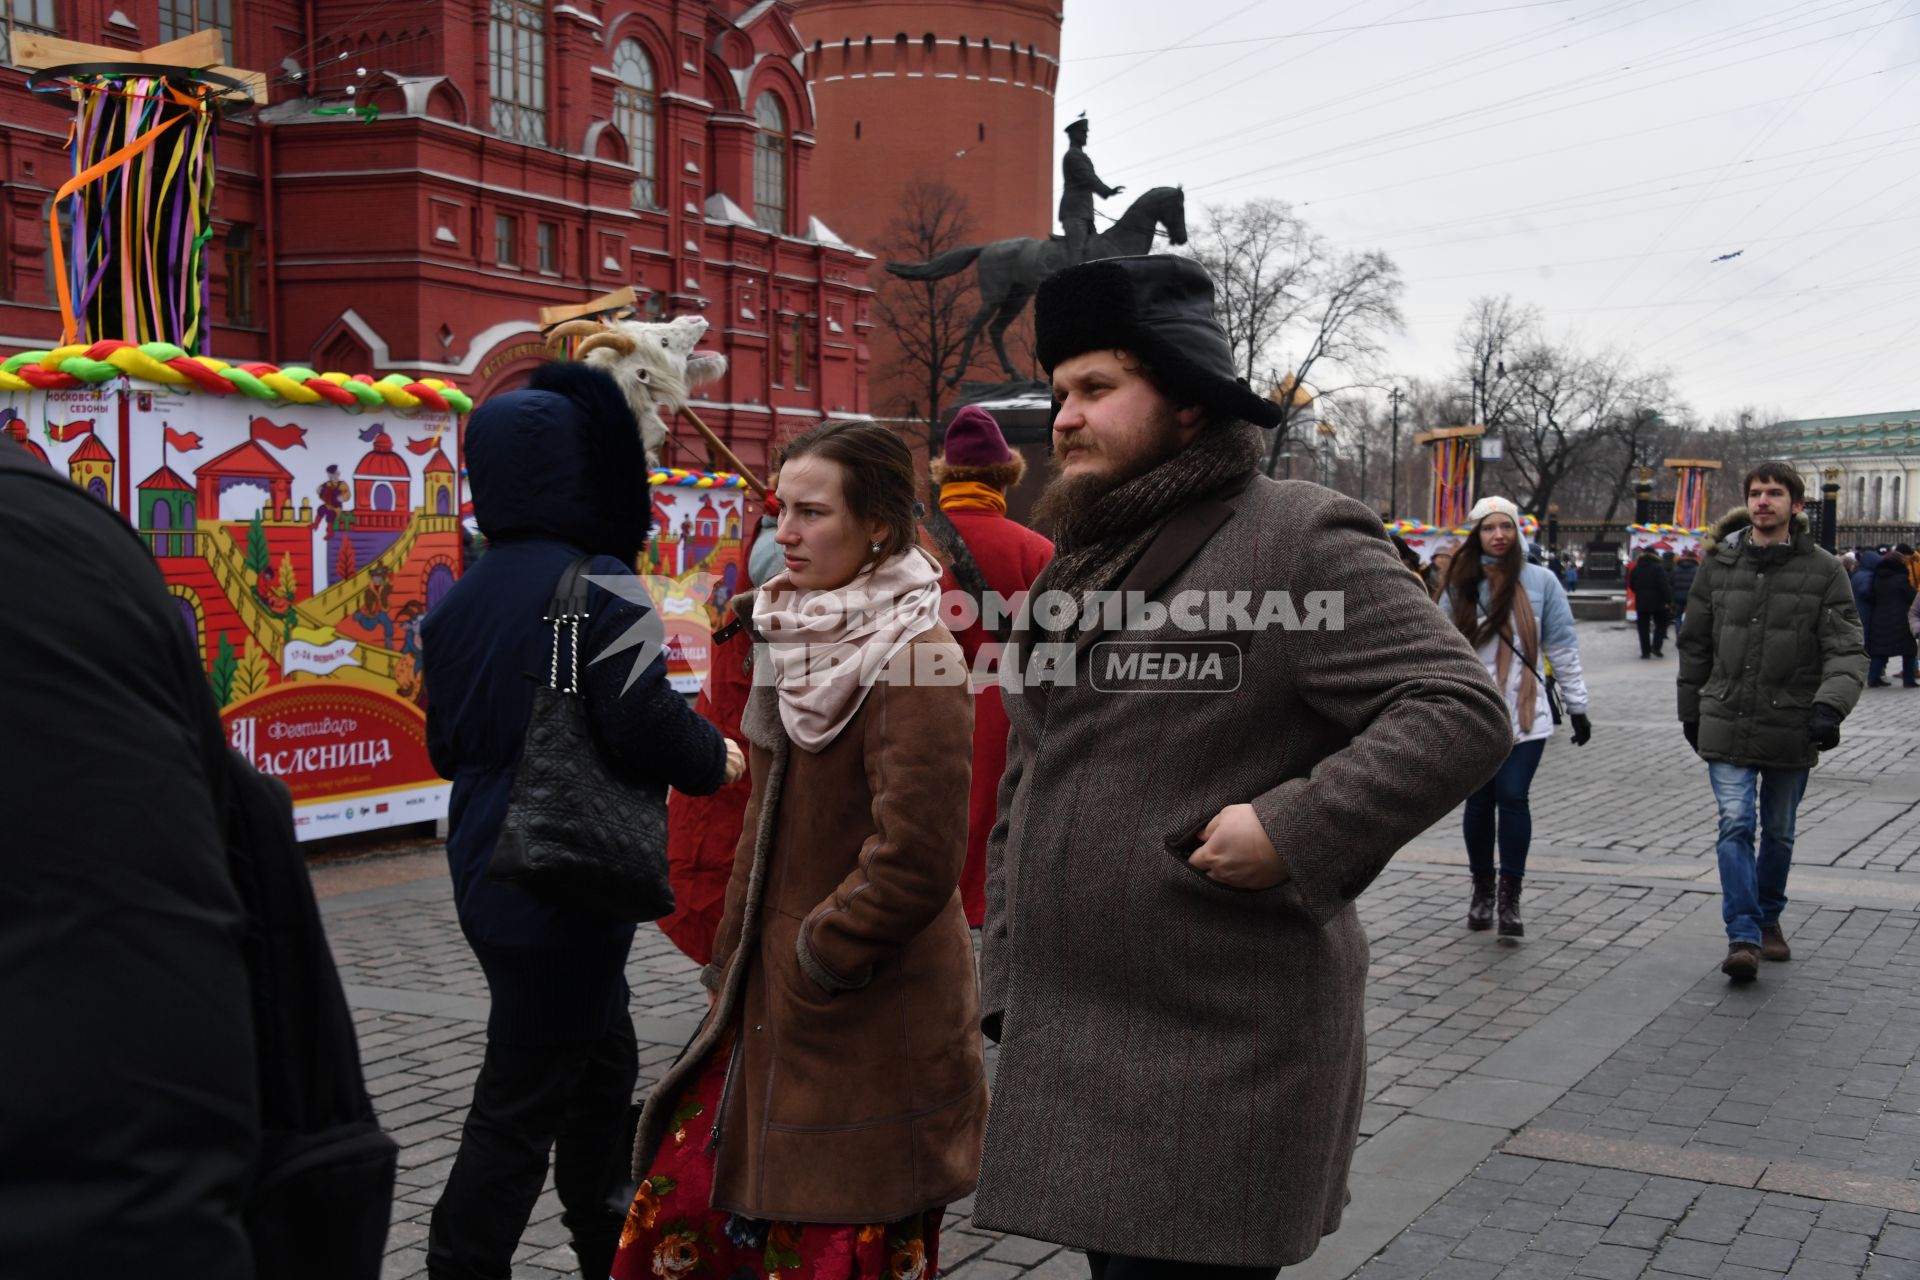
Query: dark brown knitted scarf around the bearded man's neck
<point x="1095" y="546"/>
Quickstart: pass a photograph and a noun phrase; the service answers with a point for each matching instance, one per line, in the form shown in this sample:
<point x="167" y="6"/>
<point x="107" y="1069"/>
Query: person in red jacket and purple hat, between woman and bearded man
<point x="988" y="556"/>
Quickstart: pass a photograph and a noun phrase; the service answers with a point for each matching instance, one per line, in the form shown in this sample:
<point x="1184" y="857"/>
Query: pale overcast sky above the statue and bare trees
<point x="1589" y="156"/>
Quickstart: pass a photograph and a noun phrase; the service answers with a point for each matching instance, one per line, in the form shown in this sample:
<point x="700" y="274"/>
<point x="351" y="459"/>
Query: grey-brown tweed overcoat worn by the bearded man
<point x="1184" y="1064"/>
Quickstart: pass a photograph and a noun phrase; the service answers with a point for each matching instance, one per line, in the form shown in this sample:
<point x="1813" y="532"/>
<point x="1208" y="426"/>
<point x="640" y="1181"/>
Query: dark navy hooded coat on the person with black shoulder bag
<point x="556" y="471"/>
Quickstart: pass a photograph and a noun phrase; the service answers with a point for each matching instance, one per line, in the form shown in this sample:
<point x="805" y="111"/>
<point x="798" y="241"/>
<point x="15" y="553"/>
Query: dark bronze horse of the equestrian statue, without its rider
<point x="1013" y="270"/>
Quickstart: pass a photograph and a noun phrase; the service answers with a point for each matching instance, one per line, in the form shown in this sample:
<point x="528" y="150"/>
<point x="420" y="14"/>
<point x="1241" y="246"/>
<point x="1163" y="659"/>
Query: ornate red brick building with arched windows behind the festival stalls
<point x="527" y="153"/>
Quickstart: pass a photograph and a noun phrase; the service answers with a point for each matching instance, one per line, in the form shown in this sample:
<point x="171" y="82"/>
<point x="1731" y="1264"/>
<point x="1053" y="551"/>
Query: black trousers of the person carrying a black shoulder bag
<point x="529" y="1101"/>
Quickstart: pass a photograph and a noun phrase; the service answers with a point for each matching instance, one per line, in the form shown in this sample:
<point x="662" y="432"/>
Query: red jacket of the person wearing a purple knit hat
<point x="1011" y="557"/>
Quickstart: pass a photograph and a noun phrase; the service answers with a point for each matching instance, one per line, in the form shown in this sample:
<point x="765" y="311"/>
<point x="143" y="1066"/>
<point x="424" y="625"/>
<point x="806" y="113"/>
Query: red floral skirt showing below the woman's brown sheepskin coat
<point x="675" y="1235"/>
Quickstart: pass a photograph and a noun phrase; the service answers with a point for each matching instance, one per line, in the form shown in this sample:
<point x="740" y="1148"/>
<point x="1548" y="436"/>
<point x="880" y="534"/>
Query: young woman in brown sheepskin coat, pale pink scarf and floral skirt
<point x="834" y="1101"/>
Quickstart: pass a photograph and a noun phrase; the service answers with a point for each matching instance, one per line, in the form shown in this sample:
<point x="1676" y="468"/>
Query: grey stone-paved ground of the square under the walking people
<point x="1689" y="1131"/>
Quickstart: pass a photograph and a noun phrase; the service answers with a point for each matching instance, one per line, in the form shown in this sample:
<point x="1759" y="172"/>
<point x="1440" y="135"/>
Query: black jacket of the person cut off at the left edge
<point x="130" y="1116"/>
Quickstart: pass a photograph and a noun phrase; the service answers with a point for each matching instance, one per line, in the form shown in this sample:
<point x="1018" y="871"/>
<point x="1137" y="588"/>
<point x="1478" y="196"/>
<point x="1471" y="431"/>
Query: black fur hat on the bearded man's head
<point x="1161" y="308"/>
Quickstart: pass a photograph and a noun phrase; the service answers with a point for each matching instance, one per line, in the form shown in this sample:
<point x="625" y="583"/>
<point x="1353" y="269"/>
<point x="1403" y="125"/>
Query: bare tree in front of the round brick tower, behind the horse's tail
<point x="926" y="320"/>
